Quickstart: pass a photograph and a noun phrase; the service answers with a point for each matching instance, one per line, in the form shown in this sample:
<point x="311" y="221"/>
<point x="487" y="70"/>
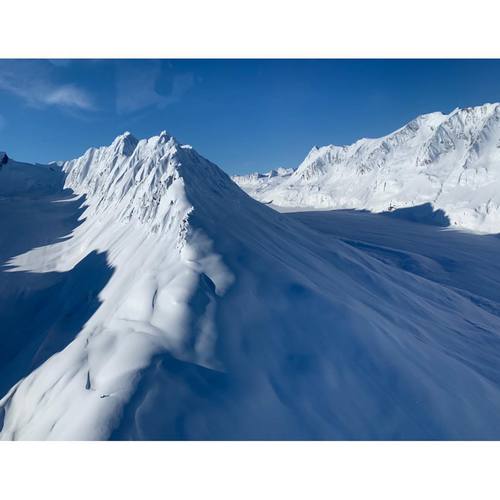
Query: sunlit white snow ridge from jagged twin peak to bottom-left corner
<point x="137" y="214"/>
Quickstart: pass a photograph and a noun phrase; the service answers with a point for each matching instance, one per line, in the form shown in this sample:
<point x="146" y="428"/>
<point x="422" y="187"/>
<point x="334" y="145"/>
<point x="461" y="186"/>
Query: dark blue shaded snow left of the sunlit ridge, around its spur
<point x="41" y="313"/>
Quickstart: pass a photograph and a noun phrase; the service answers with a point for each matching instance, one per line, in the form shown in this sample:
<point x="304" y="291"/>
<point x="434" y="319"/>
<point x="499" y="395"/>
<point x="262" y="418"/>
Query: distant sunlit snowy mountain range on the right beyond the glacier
<point x="449" y="161"/>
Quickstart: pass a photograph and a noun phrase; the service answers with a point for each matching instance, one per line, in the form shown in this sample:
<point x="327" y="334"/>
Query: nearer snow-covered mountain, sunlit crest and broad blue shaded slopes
<point x="202" y="314"/>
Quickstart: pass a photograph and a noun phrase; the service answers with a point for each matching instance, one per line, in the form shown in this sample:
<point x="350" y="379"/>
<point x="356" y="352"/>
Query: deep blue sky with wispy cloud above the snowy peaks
<point x="244" y="115"/>
